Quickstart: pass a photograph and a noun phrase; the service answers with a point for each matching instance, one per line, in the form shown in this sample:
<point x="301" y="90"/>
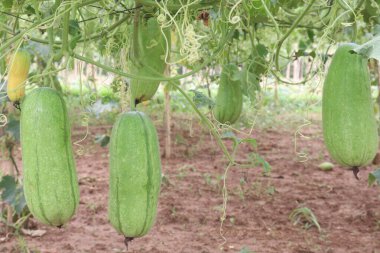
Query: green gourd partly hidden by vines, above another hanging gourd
<point x="150" y="60"/>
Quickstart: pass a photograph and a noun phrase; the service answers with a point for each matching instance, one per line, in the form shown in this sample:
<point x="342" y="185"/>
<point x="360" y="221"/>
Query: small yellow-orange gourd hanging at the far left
<point x="17" y="75"/>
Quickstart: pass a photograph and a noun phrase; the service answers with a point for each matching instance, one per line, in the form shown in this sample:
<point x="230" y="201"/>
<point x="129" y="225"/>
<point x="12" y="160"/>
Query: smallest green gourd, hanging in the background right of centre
<point x="229" y="99"/>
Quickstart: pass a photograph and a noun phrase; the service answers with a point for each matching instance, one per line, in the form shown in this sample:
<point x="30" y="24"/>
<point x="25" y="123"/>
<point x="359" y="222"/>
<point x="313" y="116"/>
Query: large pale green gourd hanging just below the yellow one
<point x="50" y="179"/>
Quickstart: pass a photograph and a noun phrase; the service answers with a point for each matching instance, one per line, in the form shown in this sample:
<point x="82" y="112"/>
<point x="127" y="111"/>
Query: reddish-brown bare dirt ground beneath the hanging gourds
<point x="258" y="207"/>
